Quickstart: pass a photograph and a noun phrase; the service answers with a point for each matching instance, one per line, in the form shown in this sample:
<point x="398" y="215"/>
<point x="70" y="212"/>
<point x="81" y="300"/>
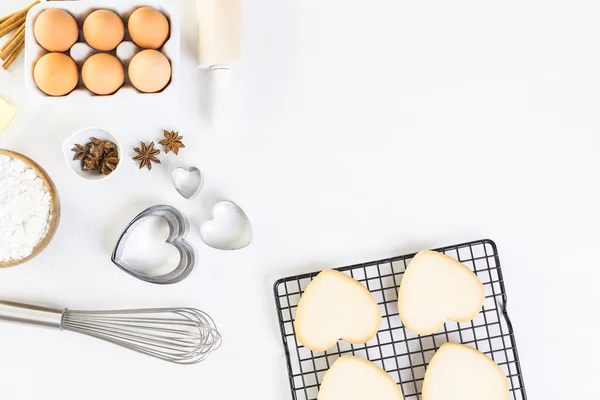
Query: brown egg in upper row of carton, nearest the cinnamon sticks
<point x="55" y="30"/>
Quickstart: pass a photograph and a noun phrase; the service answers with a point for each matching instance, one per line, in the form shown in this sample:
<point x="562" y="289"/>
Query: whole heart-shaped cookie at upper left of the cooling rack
<point x="334" y="306"/>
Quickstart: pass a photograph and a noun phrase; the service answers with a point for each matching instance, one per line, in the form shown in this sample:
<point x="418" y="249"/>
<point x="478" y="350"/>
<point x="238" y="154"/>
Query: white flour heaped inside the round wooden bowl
<point x="24" y="209"/>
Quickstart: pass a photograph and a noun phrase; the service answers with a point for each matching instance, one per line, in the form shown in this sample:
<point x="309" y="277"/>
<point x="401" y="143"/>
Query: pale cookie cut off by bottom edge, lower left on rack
<point x="354" y="378"/>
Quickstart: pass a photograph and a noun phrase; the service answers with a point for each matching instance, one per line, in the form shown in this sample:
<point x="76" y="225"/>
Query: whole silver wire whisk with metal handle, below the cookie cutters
<point x="178" y="335"/>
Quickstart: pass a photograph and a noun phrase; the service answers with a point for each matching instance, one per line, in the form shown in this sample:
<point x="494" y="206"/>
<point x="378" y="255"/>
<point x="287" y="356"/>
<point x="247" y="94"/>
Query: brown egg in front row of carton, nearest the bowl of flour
<point x="56" y="74"/>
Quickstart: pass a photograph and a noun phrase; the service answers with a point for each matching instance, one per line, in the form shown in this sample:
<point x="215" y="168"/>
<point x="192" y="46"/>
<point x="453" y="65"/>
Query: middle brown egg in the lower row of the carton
<point x="103" y="74"/>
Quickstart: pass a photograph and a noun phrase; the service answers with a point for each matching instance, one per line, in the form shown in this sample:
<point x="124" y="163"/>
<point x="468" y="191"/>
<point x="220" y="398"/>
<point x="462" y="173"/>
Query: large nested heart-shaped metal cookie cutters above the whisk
<point x="178" y="229"/>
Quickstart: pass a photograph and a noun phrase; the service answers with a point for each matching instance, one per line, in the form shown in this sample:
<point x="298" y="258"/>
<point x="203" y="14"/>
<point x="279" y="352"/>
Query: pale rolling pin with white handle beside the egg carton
<point x="219" y="49"/>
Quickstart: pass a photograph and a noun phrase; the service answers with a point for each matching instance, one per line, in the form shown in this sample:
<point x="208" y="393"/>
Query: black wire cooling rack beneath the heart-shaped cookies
<point x="403" y="354"/>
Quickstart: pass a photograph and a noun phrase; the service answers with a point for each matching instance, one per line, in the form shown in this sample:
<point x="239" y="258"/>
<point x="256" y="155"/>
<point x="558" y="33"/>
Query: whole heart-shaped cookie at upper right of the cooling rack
<point x="436" y="287"/>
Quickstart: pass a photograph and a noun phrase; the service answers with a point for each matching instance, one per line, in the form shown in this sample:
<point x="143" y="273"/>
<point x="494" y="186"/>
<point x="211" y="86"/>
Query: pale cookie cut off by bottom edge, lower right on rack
<point x="458" y="372"/>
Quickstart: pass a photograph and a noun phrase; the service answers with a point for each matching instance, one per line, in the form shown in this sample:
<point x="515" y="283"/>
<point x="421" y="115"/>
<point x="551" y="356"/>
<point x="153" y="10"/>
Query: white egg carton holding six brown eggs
<point x="81" y="51"/>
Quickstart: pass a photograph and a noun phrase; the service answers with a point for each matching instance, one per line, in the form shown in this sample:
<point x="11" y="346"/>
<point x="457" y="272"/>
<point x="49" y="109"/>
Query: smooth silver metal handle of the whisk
<point x="30" y="315"/>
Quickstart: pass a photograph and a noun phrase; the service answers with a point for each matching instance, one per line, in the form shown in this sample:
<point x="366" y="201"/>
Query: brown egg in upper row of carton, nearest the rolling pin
<point x="148" y="28"/>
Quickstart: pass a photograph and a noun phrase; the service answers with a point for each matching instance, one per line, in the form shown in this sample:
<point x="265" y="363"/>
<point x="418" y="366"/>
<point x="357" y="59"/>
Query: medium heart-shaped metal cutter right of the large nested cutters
<point x="229" y="229"/>
